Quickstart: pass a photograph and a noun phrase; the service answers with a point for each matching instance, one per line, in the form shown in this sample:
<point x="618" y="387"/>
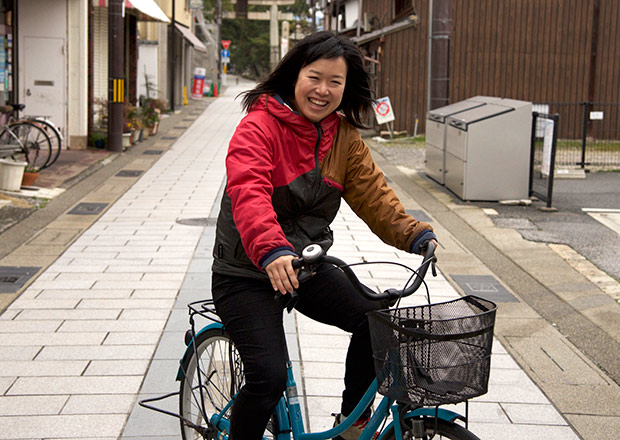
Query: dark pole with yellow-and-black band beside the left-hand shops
<point x="116" y="70"/>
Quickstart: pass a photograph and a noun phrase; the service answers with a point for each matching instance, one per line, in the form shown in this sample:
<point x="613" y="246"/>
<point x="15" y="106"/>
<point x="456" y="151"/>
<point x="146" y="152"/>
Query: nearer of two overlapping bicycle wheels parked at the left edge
<point x="36" y="144"/>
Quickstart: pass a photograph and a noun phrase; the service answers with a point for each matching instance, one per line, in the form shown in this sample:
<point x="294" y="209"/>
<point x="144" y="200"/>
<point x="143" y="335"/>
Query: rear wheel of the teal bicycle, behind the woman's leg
<point x="221" y="377"/>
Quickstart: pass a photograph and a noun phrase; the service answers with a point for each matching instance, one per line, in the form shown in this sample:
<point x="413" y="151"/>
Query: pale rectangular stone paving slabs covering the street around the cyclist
<point x="103" y="325"/>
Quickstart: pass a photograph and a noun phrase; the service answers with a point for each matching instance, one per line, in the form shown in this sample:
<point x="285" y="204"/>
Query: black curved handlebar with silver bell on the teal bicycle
<point x="314" y="254"/>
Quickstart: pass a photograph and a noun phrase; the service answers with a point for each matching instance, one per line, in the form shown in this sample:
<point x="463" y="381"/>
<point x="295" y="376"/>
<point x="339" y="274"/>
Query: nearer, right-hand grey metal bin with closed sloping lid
<point x="488" y="151"/>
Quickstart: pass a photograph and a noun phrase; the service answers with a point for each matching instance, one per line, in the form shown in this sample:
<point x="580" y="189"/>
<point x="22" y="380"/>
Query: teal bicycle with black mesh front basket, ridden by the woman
<point x="425" y="356"/>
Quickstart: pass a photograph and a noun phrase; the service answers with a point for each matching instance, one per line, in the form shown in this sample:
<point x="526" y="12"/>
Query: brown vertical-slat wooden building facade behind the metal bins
<point x="555" y="53"/>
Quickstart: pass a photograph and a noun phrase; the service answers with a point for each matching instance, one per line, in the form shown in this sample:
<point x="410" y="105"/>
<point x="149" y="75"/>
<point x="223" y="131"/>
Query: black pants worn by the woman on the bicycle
<point x="254" y="320"/>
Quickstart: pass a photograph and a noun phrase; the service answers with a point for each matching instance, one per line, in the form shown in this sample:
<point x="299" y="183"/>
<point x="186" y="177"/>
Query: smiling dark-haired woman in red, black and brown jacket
<point x="293" y="157"/>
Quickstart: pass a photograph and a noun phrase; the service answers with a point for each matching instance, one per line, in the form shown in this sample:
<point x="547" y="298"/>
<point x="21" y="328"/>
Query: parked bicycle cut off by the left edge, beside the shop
<point x="33" y="139"/>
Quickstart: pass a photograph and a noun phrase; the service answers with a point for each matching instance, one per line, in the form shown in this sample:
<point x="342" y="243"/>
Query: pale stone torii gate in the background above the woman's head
<point x="273" y="15"/>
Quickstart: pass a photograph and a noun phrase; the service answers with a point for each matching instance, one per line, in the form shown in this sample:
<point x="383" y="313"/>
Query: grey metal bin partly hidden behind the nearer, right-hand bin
<point x="435" y="160"/>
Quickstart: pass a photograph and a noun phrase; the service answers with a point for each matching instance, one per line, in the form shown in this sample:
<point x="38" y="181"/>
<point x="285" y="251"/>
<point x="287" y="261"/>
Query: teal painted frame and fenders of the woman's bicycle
<point x="290" y="419"/>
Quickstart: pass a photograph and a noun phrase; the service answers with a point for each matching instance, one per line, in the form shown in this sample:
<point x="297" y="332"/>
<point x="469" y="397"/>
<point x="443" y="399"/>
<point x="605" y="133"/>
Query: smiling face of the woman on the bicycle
<point x="319" y="87"/>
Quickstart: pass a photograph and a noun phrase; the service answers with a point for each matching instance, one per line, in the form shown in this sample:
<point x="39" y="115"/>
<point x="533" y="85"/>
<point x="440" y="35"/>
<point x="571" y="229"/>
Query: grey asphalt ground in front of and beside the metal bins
<point x="569" y="224"/>
